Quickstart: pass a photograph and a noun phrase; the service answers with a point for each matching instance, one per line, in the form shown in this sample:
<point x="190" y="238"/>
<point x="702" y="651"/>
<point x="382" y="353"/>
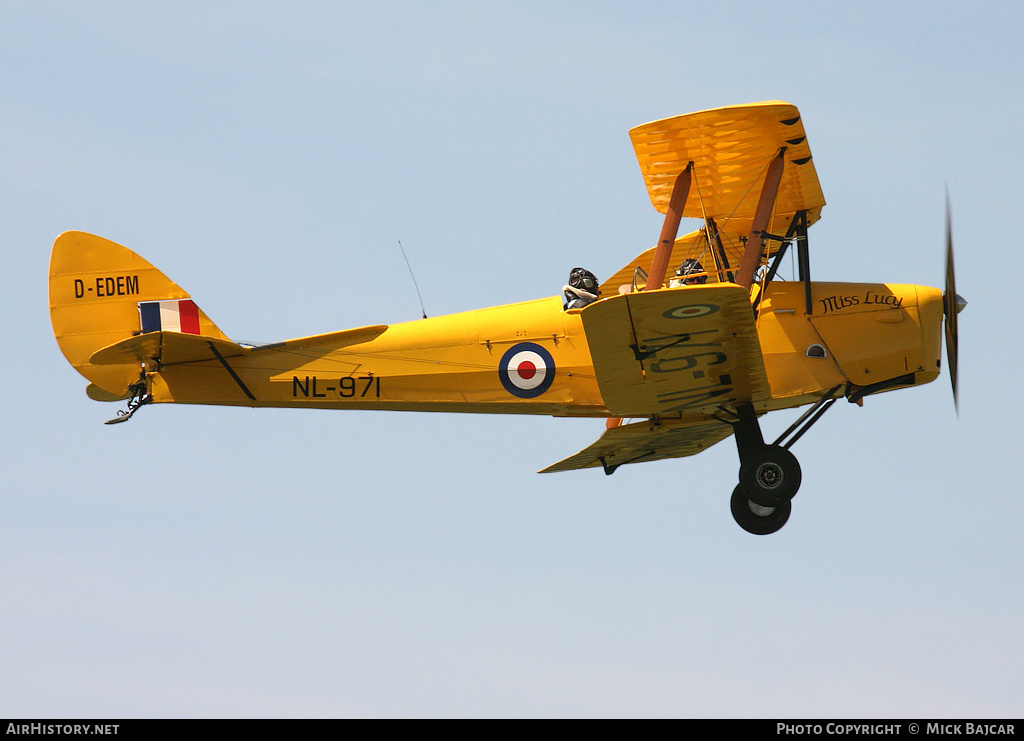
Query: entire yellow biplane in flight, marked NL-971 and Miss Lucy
<point x="687" y="360"/>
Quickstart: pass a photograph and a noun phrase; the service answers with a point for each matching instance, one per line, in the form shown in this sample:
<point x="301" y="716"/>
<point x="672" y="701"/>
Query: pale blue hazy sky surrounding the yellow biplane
<point x="269" y="158"/>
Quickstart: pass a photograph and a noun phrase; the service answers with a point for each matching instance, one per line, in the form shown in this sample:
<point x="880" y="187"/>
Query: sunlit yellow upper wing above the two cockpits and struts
<point x="731" y="149"/>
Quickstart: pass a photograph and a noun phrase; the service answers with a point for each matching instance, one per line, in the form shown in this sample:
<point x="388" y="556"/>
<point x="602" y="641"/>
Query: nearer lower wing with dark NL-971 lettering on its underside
<point x="676" y="352"/>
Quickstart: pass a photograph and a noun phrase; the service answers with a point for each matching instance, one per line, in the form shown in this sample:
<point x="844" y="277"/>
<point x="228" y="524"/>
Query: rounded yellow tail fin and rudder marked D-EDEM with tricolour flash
<point x="103" y="294"/>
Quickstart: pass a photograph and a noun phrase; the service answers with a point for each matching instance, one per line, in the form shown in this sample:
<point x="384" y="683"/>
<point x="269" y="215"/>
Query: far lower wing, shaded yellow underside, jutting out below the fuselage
<point x="647" y="441"/>
